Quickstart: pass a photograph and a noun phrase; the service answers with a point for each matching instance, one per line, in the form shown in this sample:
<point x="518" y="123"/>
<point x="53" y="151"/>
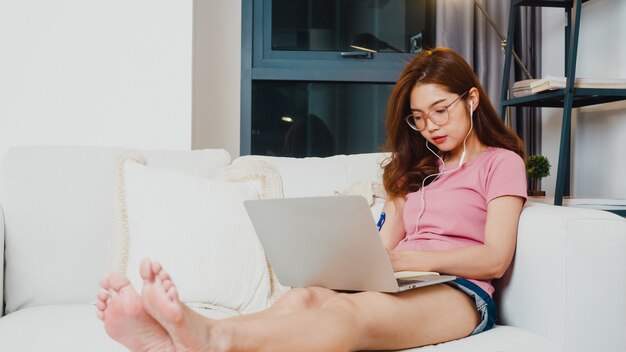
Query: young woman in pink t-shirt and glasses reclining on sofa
<point x="456" y="185"/>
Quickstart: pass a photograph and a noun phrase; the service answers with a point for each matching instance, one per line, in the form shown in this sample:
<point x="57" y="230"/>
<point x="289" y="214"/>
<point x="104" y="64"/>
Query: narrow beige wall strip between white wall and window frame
<point x="217" y="75"/>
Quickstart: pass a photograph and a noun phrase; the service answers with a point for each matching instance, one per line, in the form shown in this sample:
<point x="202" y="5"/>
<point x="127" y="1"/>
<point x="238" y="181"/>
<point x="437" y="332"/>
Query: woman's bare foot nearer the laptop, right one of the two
<point x="189" y="330"/>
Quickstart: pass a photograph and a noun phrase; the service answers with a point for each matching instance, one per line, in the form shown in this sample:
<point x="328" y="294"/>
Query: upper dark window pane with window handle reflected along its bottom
<point x="345" y="25"/>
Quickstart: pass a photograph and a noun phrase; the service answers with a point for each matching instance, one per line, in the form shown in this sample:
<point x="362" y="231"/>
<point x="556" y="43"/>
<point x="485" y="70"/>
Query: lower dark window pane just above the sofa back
<point x="301" y="119"/>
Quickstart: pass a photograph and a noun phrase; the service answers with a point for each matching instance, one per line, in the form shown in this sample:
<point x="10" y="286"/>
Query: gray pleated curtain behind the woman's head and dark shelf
<point x="462" y="27"/>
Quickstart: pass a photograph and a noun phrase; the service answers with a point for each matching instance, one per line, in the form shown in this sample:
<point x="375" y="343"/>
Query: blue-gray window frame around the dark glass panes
<point x="260" y="62"/>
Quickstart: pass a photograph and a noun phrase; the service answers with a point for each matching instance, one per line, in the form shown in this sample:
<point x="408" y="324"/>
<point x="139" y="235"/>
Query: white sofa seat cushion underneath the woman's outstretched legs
<point x="61" y="328"/>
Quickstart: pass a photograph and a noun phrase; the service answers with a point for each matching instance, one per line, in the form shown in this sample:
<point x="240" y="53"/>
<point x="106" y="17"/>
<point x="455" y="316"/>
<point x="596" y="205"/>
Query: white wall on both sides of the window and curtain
<point x="120" y="73"/>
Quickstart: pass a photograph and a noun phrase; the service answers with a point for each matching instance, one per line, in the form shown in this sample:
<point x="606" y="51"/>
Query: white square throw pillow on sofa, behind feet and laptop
<point x="199" y="230"/>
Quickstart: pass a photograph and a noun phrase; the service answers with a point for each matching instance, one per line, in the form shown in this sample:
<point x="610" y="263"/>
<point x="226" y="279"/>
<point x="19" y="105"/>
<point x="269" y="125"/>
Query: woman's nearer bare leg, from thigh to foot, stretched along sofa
<point x="341" y="322"/>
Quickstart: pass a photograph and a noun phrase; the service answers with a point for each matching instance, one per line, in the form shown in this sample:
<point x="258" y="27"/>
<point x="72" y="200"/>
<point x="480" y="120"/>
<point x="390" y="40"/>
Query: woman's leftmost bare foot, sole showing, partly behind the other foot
<point x="120" y="308"/>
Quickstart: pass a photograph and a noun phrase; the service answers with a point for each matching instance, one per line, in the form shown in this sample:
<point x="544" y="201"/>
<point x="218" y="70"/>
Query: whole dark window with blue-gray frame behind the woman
<point x="309" y="87"/>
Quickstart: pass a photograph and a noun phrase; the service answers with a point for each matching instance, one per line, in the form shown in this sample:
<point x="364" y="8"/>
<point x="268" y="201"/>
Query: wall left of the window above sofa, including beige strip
<point x="119" y="73"/>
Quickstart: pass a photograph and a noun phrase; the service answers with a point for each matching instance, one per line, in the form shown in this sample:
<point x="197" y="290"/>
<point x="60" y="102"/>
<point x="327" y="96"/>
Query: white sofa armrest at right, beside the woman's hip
<point x="567" y="281"/>
